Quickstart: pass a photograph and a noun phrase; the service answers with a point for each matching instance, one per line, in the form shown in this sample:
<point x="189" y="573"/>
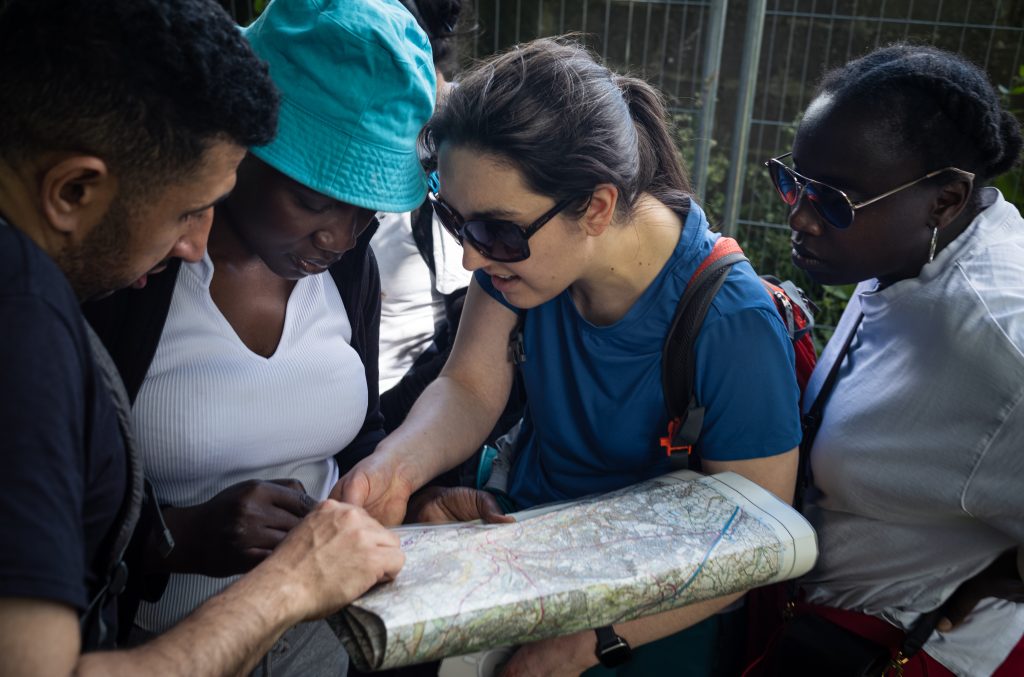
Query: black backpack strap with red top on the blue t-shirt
<point x="678" y="355"/>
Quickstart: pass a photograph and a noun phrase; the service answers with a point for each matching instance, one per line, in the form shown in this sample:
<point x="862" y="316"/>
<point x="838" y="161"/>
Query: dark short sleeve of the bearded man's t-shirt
<point x="42" y="551"/>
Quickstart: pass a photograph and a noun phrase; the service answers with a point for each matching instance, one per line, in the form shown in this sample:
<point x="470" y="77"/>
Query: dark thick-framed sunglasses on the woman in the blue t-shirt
<point x="495" y="239"/>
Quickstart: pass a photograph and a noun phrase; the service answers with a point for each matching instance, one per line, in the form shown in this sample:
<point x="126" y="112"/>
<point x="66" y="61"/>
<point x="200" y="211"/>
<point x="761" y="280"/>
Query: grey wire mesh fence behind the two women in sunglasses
<point x="738" y="76"/>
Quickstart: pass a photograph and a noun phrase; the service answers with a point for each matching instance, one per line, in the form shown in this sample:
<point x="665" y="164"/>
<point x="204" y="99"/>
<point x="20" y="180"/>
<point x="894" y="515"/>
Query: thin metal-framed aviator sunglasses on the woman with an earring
<point x="831" y="203"/>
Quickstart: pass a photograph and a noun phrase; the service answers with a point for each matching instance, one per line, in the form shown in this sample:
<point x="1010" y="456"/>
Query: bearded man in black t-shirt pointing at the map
<point x="123" y="124"/>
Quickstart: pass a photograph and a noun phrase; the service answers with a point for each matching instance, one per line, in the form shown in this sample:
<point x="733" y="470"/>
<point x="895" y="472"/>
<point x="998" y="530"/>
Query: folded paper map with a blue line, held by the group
<point x="649" y="548"/>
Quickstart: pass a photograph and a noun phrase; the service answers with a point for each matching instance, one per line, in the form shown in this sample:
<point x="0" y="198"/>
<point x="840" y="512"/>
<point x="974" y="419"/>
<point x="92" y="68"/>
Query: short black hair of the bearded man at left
<point x="146" y="86"/>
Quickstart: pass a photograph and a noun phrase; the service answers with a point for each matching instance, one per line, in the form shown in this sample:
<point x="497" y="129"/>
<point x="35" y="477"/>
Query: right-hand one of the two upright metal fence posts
<point x="745" y="111"/>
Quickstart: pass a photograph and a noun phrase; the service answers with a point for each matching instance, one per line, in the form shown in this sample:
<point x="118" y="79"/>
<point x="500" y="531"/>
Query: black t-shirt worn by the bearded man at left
<point x="63" y="463"/>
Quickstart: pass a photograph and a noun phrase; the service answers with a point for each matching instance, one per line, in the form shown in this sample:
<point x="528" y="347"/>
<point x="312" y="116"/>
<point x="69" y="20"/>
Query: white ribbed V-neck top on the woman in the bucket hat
<point x="211" y="413"/>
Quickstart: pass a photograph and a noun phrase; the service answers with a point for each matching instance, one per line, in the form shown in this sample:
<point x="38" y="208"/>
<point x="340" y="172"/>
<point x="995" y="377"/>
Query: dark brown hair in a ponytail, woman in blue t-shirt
<point x="567" y="123"/>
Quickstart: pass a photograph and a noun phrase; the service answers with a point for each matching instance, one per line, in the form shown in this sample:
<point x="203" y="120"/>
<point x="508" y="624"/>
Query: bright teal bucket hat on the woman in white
<point x="357" y="81"/>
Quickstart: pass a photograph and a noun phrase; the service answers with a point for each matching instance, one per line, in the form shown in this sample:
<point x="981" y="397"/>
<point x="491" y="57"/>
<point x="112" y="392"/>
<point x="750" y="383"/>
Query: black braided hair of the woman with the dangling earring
<point x="942" y="106"/>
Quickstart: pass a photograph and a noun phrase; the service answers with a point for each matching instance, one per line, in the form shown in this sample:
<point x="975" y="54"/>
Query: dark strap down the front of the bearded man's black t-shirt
<point x="115" y="572"/>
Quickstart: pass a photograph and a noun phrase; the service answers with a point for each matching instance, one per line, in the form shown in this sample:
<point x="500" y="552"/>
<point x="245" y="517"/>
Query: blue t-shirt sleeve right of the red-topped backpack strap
<point x="747" y="383"/>
